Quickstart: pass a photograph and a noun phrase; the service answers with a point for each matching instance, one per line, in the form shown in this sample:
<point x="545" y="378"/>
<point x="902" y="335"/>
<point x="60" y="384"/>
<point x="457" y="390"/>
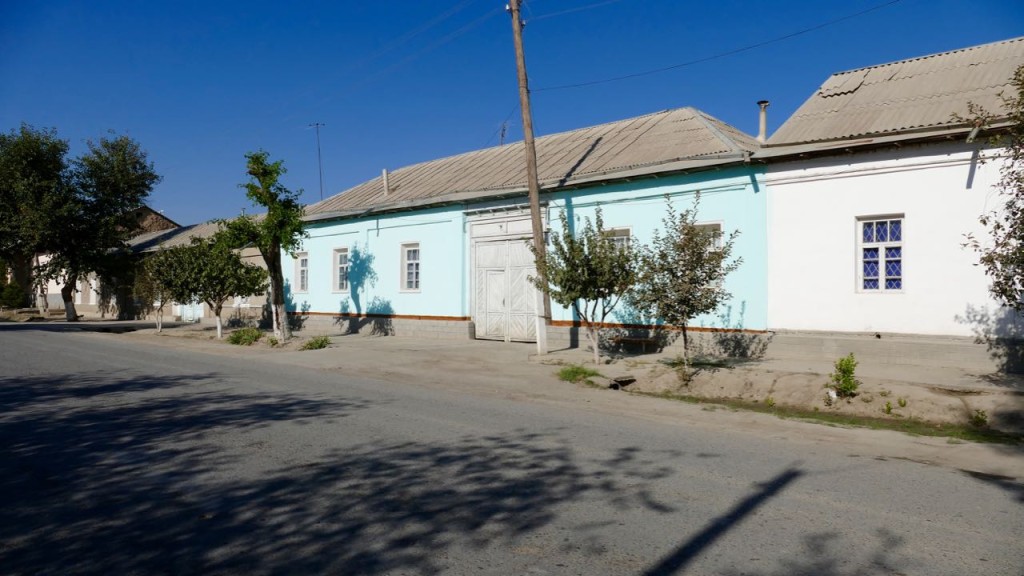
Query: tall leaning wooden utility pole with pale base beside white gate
<point x="543" y="303"/>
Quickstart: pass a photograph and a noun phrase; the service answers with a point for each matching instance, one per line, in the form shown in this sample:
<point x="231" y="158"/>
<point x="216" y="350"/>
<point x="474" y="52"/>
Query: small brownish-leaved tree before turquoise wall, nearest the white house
<point x="682" y="272"/>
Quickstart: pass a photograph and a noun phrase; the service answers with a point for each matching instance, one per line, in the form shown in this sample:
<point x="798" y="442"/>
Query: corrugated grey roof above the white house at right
<point x="906" y="96"/>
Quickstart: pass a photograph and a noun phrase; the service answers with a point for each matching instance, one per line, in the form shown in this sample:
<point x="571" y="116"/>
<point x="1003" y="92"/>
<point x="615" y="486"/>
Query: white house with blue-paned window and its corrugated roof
<point x="873" y="185"/>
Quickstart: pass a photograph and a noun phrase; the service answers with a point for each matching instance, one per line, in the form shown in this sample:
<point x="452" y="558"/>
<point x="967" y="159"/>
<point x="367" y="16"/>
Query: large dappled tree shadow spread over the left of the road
<point x="132" y="481"/>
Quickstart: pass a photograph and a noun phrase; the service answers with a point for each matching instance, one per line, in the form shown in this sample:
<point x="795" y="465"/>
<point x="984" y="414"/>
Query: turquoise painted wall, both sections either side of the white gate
<point x="735" y="198"/>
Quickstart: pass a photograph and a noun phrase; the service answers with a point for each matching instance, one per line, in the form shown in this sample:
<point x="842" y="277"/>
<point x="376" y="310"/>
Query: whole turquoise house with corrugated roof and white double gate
<point x="440" y="250"/>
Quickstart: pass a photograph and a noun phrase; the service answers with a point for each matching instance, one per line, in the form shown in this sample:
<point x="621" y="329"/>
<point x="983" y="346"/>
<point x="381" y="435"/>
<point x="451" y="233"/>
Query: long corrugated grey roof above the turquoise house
<point x="637" y="146"/>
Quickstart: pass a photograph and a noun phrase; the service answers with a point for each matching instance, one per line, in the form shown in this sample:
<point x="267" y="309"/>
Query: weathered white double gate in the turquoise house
<point x="505" y="301"/>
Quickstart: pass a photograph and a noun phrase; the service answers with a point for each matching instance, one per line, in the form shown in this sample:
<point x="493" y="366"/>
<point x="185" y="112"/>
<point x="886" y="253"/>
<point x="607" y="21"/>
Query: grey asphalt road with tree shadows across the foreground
<point x="122" y="459"/>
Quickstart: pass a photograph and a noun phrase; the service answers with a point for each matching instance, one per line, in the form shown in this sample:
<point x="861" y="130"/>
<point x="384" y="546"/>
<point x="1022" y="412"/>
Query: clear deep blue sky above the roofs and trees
<point x="199" y="85"/>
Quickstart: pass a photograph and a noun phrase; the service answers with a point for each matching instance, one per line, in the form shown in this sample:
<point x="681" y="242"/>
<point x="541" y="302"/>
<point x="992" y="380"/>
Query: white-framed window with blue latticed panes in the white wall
<point x="881" y="255"/>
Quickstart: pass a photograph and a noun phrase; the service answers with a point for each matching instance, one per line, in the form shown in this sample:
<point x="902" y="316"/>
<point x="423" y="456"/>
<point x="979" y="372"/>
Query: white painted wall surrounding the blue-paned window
<point x="814" y="209"/>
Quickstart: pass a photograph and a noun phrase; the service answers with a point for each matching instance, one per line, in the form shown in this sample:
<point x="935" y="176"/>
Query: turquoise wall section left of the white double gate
<point x="378" y="241"/>
